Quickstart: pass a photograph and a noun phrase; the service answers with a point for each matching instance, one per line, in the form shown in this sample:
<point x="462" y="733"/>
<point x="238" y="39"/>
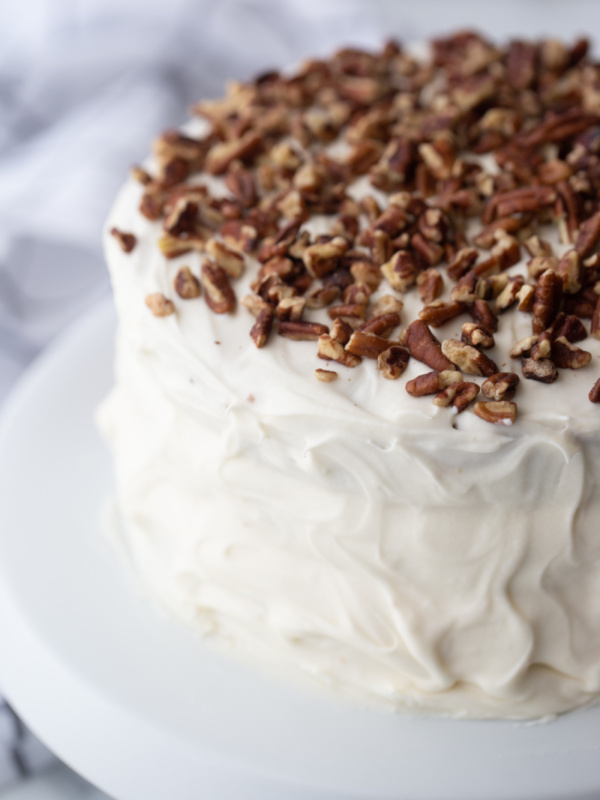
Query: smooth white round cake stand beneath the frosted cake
<point x="142" y="709"/>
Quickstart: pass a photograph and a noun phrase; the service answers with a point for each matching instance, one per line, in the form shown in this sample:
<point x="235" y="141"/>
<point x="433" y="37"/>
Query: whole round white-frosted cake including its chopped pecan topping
<point x="356" y="418"/>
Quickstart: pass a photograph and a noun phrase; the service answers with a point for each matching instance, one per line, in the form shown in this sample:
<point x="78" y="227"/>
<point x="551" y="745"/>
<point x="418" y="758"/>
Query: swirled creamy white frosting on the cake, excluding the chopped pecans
<point x="384" y="545"/>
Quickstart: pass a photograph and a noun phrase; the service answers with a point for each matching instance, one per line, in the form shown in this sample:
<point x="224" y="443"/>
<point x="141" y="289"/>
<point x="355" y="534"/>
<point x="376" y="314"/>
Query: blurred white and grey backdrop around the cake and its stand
<point x="83" y="87"/>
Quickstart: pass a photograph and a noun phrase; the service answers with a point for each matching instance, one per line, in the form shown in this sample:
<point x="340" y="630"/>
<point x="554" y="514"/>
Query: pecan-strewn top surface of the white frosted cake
<point x="404" y="226"/>
